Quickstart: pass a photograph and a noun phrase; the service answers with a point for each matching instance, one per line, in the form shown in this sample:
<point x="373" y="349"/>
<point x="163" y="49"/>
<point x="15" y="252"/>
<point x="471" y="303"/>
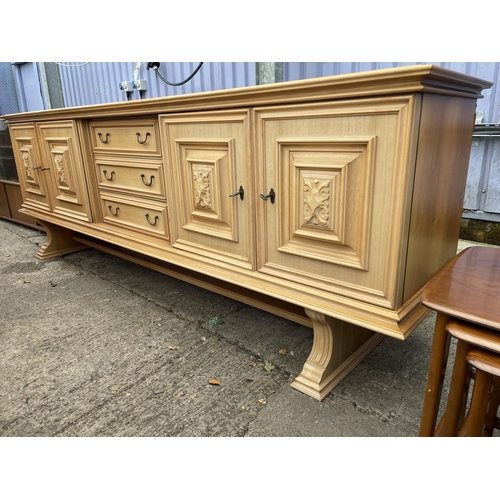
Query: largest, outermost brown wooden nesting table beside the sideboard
<point x="467" y="288"/>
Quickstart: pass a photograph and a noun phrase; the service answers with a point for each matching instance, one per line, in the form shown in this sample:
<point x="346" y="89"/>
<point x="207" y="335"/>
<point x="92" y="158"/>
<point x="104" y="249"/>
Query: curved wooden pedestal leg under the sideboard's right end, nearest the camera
<point x="337" y="348"/>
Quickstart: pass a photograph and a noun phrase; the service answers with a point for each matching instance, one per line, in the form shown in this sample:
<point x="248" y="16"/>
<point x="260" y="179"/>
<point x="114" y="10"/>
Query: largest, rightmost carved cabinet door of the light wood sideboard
<point x="342" y="177"/>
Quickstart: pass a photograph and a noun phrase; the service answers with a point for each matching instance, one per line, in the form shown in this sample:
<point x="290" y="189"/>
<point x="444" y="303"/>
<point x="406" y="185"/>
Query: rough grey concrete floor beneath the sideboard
<point x="93" y="345"/>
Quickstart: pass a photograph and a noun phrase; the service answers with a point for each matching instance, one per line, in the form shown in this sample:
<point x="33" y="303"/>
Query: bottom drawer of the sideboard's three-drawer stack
<point x="134" y="215"/>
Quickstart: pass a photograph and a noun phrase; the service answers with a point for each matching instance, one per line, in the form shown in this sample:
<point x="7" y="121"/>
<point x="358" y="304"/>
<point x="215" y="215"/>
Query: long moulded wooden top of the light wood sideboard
<point x="401" y="80"/>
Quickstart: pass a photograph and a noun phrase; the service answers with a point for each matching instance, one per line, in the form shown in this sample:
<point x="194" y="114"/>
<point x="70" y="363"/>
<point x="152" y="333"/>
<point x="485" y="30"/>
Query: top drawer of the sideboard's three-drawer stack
<point x="133" y="136"/>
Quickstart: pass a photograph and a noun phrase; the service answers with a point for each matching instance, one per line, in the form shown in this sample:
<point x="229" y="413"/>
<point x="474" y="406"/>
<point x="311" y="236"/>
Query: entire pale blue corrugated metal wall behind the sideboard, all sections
<point x="98" y="82"/>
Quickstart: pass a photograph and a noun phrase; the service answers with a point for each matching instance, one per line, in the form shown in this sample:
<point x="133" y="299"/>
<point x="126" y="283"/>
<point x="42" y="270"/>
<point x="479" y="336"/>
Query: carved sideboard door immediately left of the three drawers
<point x="61" y="157"/>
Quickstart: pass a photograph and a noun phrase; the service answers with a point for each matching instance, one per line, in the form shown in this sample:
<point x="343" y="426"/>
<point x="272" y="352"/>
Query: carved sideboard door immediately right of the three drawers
<point x="209" y="184"/>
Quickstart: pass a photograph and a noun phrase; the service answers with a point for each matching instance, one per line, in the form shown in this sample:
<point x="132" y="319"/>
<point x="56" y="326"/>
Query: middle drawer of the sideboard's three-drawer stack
<point x="131" y="177"/>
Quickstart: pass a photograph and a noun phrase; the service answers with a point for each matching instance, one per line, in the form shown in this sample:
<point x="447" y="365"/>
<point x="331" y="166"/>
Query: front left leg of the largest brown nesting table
<point x="435" y="377"/>
